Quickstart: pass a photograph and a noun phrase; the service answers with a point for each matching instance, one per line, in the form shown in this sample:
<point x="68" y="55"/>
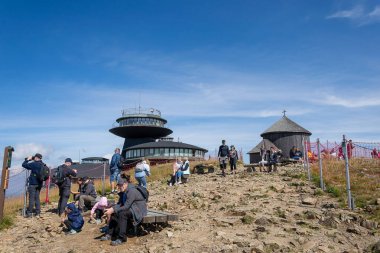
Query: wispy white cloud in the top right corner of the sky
<point x="359" y="15"/>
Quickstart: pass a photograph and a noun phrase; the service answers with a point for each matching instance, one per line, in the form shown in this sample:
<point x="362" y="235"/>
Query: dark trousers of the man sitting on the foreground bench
<point x="119" y="224"/>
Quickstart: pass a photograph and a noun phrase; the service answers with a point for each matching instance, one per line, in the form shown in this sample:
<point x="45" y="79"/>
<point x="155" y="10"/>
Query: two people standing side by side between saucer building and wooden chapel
<point x="225" y="154"/>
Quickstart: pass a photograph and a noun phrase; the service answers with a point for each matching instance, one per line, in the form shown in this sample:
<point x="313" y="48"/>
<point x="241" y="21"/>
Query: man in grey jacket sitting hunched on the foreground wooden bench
<point x="131" y="207"/>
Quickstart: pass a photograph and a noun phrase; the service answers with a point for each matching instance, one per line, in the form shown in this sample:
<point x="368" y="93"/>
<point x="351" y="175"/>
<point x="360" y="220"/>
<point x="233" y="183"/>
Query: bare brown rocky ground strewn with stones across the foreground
<point x="249" y="212"/>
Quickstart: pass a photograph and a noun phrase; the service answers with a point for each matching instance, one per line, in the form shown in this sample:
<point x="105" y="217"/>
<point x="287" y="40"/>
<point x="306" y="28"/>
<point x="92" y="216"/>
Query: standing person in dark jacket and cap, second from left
<point x="65" y="186"/>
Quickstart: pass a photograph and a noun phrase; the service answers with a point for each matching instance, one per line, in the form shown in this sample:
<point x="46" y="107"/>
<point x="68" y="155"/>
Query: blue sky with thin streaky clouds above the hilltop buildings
<point x="215" y="69"/>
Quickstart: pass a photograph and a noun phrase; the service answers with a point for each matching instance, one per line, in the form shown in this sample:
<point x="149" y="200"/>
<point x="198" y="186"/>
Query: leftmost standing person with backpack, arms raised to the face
<point x="34" y="164"/>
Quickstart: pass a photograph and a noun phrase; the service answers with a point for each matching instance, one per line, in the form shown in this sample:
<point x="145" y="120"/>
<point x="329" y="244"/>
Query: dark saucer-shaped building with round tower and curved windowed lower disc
<point x="145" y="135"/>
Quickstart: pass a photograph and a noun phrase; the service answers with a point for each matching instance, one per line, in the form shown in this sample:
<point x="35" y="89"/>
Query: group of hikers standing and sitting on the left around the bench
<point x="129" y="210"/>
